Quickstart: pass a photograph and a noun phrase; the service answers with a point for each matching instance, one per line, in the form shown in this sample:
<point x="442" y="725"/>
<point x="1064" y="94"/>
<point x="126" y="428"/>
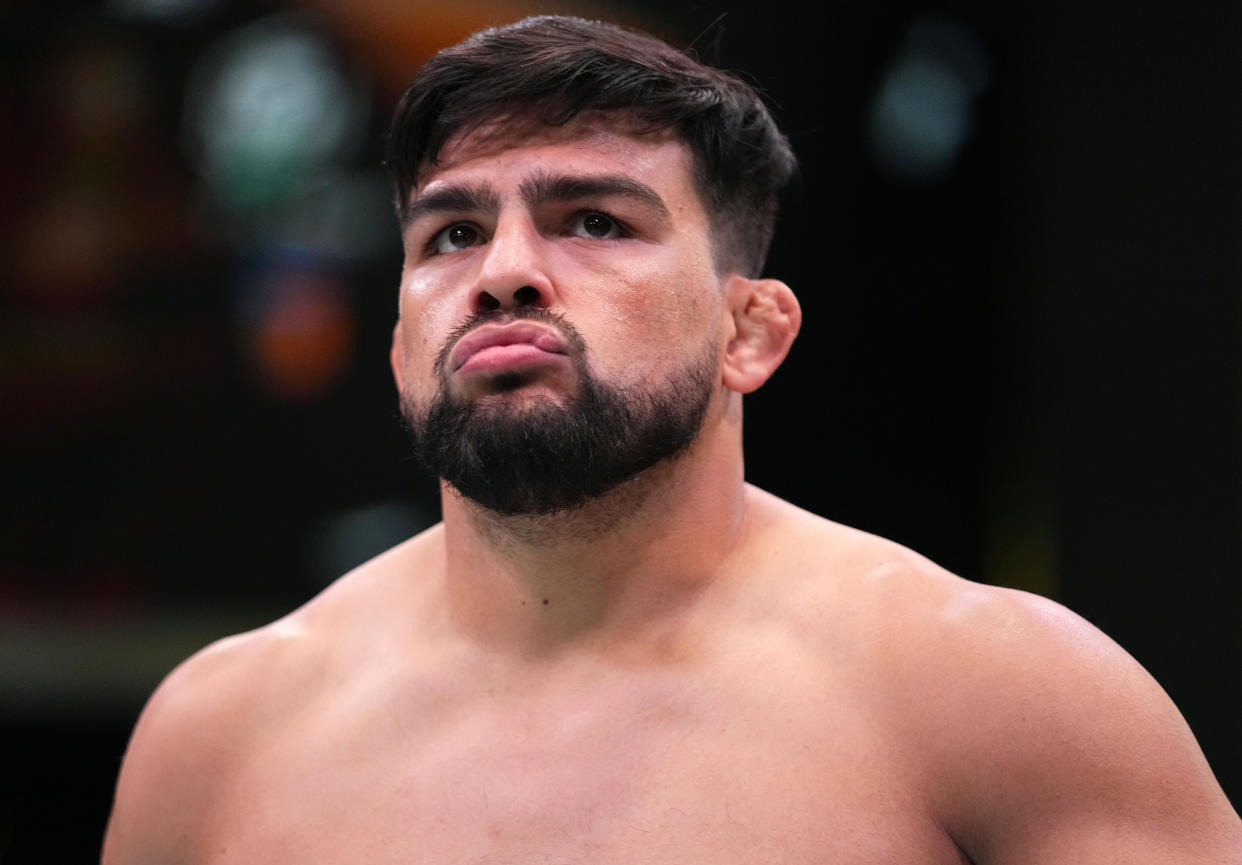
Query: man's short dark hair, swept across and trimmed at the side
<point x="552" y="69"/>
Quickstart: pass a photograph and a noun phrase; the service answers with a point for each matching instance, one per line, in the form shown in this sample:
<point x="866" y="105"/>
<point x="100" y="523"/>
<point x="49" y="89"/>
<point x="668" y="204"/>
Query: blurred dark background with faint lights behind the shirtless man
<point x="1015" y="242"/>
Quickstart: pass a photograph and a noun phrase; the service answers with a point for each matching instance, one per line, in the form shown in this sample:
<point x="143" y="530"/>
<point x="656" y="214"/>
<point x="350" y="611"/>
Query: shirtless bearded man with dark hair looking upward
<point x="613" y="651"/>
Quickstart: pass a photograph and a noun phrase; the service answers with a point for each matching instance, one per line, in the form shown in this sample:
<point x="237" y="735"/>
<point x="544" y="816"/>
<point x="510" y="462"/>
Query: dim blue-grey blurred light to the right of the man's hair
<point x="922" y="115"/>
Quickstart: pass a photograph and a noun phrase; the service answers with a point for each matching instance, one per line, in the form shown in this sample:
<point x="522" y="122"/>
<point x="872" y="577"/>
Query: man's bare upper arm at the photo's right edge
<point x="1056" y="746"/>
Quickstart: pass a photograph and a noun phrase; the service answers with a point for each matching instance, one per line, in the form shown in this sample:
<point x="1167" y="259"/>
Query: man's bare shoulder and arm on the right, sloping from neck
<point x="1040" y="739"/>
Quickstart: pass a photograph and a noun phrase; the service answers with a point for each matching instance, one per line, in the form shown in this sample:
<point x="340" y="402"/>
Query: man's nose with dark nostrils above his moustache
<point x="514" y="273"/>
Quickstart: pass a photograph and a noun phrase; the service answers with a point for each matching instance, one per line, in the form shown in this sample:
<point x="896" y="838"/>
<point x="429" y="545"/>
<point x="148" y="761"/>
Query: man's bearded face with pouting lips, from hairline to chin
<point x="561" y="313"/>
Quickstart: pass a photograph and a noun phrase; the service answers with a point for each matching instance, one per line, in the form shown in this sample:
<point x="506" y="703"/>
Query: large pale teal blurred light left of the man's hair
<point x="269" y="105"/>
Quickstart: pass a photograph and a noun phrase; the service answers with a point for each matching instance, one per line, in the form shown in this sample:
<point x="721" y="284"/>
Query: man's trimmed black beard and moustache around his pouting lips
<point x="543" y="458"/>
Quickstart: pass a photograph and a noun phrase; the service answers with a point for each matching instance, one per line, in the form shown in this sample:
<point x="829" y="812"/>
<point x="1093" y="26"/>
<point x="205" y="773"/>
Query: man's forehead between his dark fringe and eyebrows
<point x="593" y="142"/>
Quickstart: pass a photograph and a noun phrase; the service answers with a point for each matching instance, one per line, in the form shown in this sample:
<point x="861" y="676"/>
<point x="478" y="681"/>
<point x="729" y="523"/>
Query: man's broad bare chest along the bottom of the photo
<point x="723" y="772"/>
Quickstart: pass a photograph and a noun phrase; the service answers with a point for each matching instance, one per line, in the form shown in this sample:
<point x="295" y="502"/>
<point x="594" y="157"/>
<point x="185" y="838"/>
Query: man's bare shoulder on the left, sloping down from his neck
<point x="209" y="715"/>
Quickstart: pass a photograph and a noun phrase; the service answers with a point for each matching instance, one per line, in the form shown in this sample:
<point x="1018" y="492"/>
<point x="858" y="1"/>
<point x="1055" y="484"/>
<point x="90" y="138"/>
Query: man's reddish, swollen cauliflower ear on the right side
<point x="766" y="318"/>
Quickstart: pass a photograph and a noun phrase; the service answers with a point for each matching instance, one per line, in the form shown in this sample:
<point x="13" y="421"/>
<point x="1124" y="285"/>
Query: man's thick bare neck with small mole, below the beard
<point x="618" y="564"/>
